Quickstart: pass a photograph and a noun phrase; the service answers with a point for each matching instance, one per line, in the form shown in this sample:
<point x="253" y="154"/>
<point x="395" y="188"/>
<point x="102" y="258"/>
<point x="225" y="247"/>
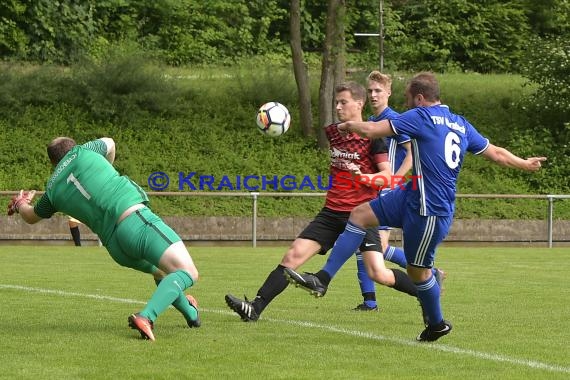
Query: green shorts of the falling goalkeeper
<point x="140" y="240"/>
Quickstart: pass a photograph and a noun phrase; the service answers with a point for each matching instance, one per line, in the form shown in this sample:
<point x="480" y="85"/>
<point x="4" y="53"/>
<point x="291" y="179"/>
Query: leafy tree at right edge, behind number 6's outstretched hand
<point x="546" y="65"/>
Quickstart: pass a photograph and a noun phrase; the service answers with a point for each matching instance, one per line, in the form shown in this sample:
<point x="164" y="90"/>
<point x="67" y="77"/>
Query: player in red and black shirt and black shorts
<point x="355" y="162"/>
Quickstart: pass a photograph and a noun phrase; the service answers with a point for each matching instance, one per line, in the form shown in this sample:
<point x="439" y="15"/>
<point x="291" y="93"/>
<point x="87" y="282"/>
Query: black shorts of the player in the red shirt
<point x="329" y="224"/>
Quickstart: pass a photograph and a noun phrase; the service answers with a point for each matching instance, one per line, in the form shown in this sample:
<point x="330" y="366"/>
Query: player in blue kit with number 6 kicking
<point x="424" y="209"/>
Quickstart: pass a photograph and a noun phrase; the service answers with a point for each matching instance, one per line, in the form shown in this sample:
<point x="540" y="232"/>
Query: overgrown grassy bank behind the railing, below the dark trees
<point x="201" y="121"/>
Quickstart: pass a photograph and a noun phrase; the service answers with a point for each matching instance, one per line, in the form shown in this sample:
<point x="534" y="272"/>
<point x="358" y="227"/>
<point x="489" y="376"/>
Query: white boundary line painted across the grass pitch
<point x="355" y="333"/>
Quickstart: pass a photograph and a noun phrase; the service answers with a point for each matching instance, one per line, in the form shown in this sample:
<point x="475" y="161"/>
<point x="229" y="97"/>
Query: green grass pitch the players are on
<point x="64" y="315"/>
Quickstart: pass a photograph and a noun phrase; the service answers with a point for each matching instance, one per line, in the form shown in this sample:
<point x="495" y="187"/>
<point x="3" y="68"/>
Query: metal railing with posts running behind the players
<point x="256" y="195"/>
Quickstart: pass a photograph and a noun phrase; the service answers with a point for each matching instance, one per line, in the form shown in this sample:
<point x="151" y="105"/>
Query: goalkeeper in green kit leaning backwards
<point x="86" y="186"/>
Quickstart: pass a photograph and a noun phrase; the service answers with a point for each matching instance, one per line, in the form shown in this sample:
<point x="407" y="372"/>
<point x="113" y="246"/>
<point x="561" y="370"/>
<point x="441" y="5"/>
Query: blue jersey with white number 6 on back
<point x="440" y="139"/>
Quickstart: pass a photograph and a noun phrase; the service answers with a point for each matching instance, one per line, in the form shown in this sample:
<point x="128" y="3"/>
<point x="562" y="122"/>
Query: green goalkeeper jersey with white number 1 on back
<point x="86" y="186"/>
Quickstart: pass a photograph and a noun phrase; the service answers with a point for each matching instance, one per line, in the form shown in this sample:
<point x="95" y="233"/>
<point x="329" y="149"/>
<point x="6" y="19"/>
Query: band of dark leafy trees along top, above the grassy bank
<point x="443" y="35"/>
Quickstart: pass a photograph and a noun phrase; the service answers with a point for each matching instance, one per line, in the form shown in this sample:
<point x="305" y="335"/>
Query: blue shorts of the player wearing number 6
<point x="421" y="234"/>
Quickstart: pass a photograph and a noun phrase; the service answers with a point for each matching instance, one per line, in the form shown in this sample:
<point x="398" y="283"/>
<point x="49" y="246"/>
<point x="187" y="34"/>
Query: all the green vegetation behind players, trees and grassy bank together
<point x="137" y="70"/>
